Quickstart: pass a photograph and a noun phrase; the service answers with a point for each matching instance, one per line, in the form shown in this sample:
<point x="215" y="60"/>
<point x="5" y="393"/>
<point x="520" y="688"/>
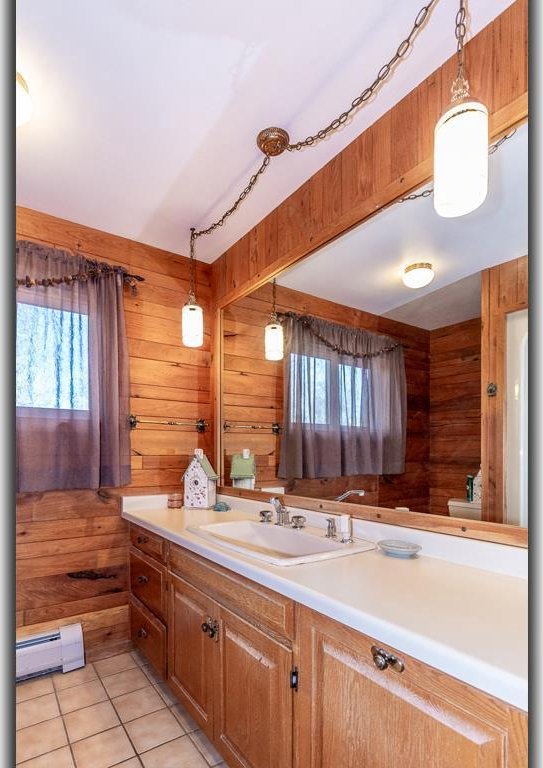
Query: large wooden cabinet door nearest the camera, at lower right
<point x="349" y="713"/>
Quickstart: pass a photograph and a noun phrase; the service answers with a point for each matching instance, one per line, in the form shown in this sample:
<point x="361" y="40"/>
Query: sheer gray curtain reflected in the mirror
<point x="344" y="401"/>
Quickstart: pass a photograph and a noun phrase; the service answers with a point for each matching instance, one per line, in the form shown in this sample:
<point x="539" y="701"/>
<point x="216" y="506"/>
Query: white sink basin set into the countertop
<point x="276" y="544"/>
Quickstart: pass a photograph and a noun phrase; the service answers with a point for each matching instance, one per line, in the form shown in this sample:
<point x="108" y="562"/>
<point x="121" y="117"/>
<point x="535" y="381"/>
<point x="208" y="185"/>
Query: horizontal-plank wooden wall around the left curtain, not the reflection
<point x="61" y="534"/>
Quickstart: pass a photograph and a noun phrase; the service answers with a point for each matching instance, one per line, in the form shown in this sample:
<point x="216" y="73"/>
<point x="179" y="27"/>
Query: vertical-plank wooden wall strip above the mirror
<point x="389" y="158"/>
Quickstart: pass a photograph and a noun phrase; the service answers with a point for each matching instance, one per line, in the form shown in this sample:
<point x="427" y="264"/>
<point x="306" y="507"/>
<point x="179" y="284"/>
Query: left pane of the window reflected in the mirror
<point x="309" y="387"/>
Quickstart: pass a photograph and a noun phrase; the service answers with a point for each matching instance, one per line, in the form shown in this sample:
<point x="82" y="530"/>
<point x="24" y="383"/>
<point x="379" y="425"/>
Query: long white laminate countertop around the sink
<point x="466" y="621"/>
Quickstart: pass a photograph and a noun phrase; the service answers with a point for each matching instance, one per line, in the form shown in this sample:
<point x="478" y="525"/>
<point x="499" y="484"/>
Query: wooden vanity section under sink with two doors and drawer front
<point x="232" y="676"/>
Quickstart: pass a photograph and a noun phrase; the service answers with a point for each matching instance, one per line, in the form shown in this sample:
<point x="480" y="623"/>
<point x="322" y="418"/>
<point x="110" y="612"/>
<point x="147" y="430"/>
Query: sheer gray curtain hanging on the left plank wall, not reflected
<point x="72" y="384"/>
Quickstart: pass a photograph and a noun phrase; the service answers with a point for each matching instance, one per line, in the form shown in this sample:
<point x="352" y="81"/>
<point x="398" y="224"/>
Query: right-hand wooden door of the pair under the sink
<point x="254" y="714"/>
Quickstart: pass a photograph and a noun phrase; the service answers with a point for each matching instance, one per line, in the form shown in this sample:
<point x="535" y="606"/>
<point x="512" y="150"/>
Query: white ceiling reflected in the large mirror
<point x="363" y="268"/>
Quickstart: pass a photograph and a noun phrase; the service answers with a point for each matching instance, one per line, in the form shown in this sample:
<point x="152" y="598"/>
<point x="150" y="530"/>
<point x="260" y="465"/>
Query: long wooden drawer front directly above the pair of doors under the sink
<point x="257" y="604"/>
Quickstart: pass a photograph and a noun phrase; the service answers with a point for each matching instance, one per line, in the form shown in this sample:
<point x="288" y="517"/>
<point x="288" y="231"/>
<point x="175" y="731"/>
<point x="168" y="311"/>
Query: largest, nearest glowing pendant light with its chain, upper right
<point x="461" y="144"/>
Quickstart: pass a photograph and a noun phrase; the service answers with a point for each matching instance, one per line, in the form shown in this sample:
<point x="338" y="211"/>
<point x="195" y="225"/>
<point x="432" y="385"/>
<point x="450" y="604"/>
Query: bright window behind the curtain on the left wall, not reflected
<point x="52" y="358"/>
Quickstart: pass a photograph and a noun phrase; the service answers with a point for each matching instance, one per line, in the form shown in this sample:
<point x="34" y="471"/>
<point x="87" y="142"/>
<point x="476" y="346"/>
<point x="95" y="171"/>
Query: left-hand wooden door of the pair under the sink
<point x="191" y="652"/>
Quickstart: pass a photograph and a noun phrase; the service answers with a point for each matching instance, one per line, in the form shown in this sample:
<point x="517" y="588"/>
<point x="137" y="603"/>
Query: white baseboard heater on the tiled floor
<point x="56" y="651"/>
